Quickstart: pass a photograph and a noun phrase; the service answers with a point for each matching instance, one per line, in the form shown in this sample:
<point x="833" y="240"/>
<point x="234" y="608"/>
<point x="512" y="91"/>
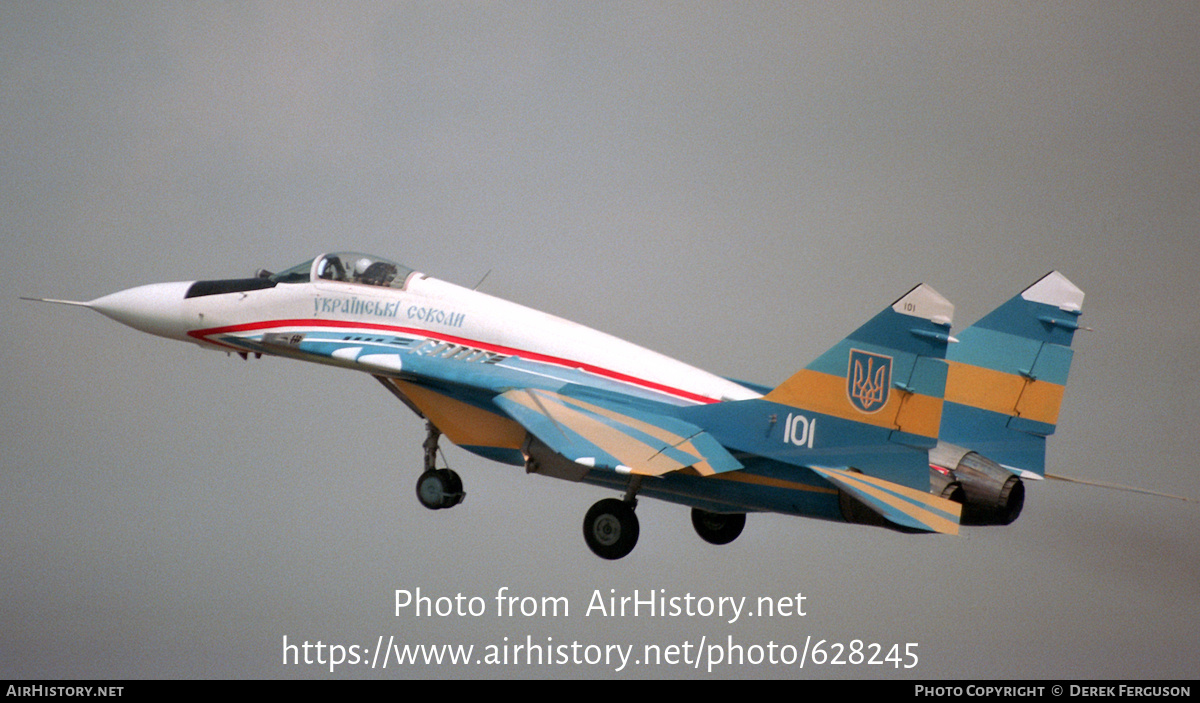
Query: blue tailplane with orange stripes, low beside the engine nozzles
<point x="898" y="504"/>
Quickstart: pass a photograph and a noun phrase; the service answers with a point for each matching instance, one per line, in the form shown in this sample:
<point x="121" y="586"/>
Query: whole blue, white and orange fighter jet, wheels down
<point x="892" y="428"/>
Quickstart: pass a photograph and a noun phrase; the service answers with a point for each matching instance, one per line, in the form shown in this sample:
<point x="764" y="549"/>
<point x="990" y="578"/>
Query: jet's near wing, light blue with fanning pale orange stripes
<point x="604" y="434"/>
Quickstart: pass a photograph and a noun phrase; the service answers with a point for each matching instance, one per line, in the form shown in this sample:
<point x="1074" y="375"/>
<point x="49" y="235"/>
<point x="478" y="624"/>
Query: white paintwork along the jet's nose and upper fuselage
<point x="478" y="321"/>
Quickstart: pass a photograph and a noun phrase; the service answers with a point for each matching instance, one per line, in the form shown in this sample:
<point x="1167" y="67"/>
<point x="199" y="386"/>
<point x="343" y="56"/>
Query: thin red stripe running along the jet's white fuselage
<point x="485" y="346"/>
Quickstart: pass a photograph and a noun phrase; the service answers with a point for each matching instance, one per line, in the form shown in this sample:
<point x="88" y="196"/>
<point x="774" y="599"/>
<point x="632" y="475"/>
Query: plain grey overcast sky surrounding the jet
<point x="737" y="185"/>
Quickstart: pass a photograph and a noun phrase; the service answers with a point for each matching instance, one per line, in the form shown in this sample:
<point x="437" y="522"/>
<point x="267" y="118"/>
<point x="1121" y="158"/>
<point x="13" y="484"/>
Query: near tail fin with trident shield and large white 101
<point x="872" y="404"/>
